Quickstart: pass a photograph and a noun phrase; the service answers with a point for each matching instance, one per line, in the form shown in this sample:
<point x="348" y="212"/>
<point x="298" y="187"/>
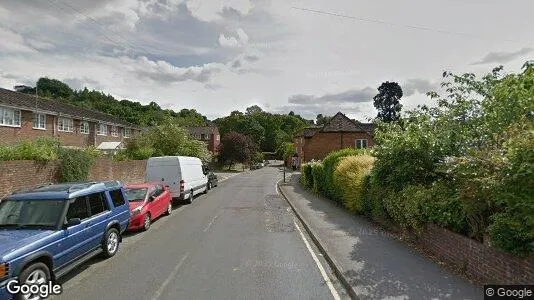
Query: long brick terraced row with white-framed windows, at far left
<point x="27" y="117"/>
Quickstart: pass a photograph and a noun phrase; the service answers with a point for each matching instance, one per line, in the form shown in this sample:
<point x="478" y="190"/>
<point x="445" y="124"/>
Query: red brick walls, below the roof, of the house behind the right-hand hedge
<point x="322" y="143"/>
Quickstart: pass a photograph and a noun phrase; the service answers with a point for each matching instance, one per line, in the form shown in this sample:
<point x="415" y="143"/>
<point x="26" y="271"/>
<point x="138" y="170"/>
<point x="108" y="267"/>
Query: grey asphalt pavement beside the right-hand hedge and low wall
<point x="371" y="263"/>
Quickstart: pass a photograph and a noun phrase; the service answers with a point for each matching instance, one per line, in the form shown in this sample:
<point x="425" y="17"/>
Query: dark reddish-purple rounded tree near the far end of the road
<point x="236" y="148"/>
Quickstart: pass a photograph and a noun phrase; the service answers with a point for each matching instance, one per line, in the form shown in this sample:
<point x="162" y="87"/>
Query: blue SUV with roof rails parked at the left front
<point x="48" y="231"/>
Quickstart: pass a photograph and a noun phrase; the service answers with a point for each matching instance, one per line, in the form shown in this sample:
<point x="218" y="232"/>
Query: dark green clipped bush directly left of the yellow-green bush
<point x="330" y="190"/>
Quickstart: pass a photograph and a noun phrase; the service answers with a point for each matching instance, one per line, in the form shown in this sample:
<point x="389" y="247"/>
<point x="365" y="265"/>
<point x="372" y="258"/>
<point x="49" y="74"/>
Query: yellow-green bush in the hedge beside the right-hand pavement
<point x="349" y="177"/>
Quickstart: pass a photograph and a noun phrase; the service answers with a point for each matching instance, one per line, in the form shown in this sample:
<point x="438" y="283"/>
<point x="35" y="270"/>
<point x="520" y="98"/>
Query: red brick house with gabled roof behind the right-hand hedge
<point x="341" y="132"/>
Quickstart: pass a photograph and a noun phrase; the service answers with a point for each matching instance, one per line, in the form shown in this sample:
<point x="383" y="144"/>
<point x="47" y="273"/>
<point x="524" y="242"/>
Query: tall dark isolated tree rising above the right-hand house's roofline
<point x="387" y="101"/>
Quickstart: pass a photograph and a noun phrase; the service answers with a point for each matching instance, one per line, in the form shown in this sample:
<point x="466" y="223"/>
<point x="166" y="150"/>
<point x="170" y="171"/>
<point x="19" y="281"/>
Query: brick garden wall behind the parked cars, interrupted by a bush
<point x="20" y="174"/>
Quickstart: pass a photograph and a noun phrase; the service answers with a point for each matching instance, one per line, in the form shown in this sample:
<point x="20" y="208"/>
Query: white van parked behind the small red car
<point x="184" y="175"/>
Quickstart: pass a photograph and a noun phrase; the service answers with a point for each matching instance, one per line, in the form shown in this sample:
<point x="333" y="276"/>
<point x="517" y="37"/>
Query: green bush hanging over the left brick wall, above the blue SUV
<point x="75" y="164"/>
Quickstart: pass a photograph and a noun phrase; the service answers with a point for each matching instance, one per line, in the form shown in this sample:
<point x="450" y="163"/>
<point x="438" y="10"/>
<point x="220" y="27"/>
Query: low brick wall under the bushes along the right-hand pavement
<point x="488" y="265"/>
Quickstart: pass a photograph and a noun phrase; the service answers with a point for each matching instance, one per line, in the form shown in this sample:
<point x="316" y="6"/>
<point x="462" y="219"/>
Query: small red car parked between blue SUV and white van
<point x="148" y="201"/>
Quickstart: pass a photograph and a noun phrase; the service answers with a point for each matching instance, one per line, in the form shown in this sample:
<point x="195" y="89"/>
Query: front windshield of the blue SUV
<point x="31" y="213"/>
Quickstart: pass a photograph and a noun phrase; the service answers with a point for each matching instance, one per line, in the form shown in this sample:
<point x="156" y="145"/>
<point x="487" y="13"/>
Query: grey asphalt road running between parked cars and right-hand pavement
<point x="240" y="241"/>
